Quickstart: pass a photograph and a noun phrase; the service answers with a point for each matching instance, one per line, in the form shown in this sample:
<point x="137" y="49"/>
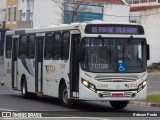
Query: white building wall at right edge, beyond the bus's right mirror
<point x="152" y="29"/>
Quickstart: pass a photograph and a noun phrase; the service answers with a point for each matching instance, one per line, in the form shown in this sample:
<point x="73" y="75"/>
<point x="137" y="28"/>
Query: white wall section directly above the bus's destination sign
<point x="116" y="11"/>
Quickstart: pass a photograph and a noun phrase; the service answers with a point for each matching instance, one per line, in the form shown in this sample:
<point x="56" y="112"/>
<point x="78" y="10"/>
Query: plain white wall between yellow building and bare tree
<point x="46" y="12"/>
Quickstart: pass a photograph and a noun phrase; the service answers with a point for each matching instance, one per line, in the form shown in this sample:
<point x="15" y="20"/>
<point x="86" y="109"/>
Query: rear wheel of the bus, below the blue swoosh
<point x="24" y="91"/>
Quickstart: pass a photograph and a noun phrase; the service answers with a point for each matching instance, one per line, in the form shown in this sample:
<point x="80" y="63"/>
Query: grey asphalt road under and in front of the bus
<point x="12" y="101"/>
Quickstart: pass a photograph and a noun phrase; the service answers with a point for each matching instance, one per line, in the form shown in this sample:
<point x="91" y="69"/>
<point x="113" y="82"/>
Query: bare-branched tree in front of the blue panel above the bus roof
<point x="76" y="10"/>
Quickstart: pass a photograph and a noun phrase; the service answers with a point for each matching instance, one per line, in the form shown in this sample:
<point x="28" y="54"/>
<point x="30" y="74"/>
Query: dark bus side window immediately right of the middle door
<point x="48" y="51"/>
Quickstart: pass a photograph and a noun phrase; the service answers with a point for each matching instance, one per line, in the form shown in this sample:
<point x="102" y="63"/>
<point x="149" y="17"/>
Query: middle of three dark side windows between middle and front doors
<point x="57" y="46"/>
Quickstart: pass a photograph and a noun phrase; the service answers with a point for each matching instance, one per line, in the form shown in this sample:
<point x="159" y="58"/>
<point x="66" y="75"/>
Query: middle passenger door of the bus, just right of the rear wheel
<point x="39" y="62"/>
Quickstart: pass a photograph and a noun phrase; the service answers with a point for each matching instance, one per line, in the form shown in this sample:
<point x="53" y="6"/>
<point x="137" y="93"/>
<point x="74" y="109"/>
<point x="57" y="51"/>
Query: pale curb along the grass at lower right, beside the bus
<point x="144" y="104"/>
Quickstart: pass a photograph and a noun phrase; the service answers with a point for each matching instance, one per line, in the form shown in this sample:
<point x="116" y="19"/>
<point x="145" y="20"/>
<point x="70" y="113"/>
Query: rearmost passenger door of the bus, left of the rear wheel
<point x="14" y="62"/>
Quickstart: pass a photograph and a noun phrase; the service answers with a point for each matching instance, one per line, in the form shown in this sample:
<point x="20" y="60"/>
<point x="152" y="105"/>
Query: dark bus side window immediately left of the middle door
<point x="31" y="47"/>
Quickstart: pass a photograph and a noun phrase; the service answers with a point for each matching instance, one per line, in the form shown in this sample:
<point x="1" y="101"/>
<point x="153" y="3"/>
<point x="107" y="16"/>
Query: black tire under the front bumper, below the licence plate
<point x="119" y="104"/>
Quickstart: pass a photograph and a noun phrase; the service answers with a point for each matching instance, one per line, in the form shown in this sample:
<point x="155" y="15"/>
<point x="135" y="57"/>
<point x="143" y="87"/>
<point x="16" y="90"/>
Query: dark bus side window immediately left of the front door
<point x="65" y="45"/>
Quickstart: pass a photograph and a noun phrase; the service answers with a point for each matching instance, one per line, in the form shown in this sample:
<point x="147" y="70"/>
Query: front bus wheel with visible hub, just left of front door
<point x="64" y="96"/>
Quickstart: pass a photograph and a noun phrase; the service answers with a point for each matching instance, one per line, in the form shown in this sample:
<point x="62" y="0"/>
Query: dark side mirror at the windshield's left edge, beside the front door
<point x="79" y="52"/>
